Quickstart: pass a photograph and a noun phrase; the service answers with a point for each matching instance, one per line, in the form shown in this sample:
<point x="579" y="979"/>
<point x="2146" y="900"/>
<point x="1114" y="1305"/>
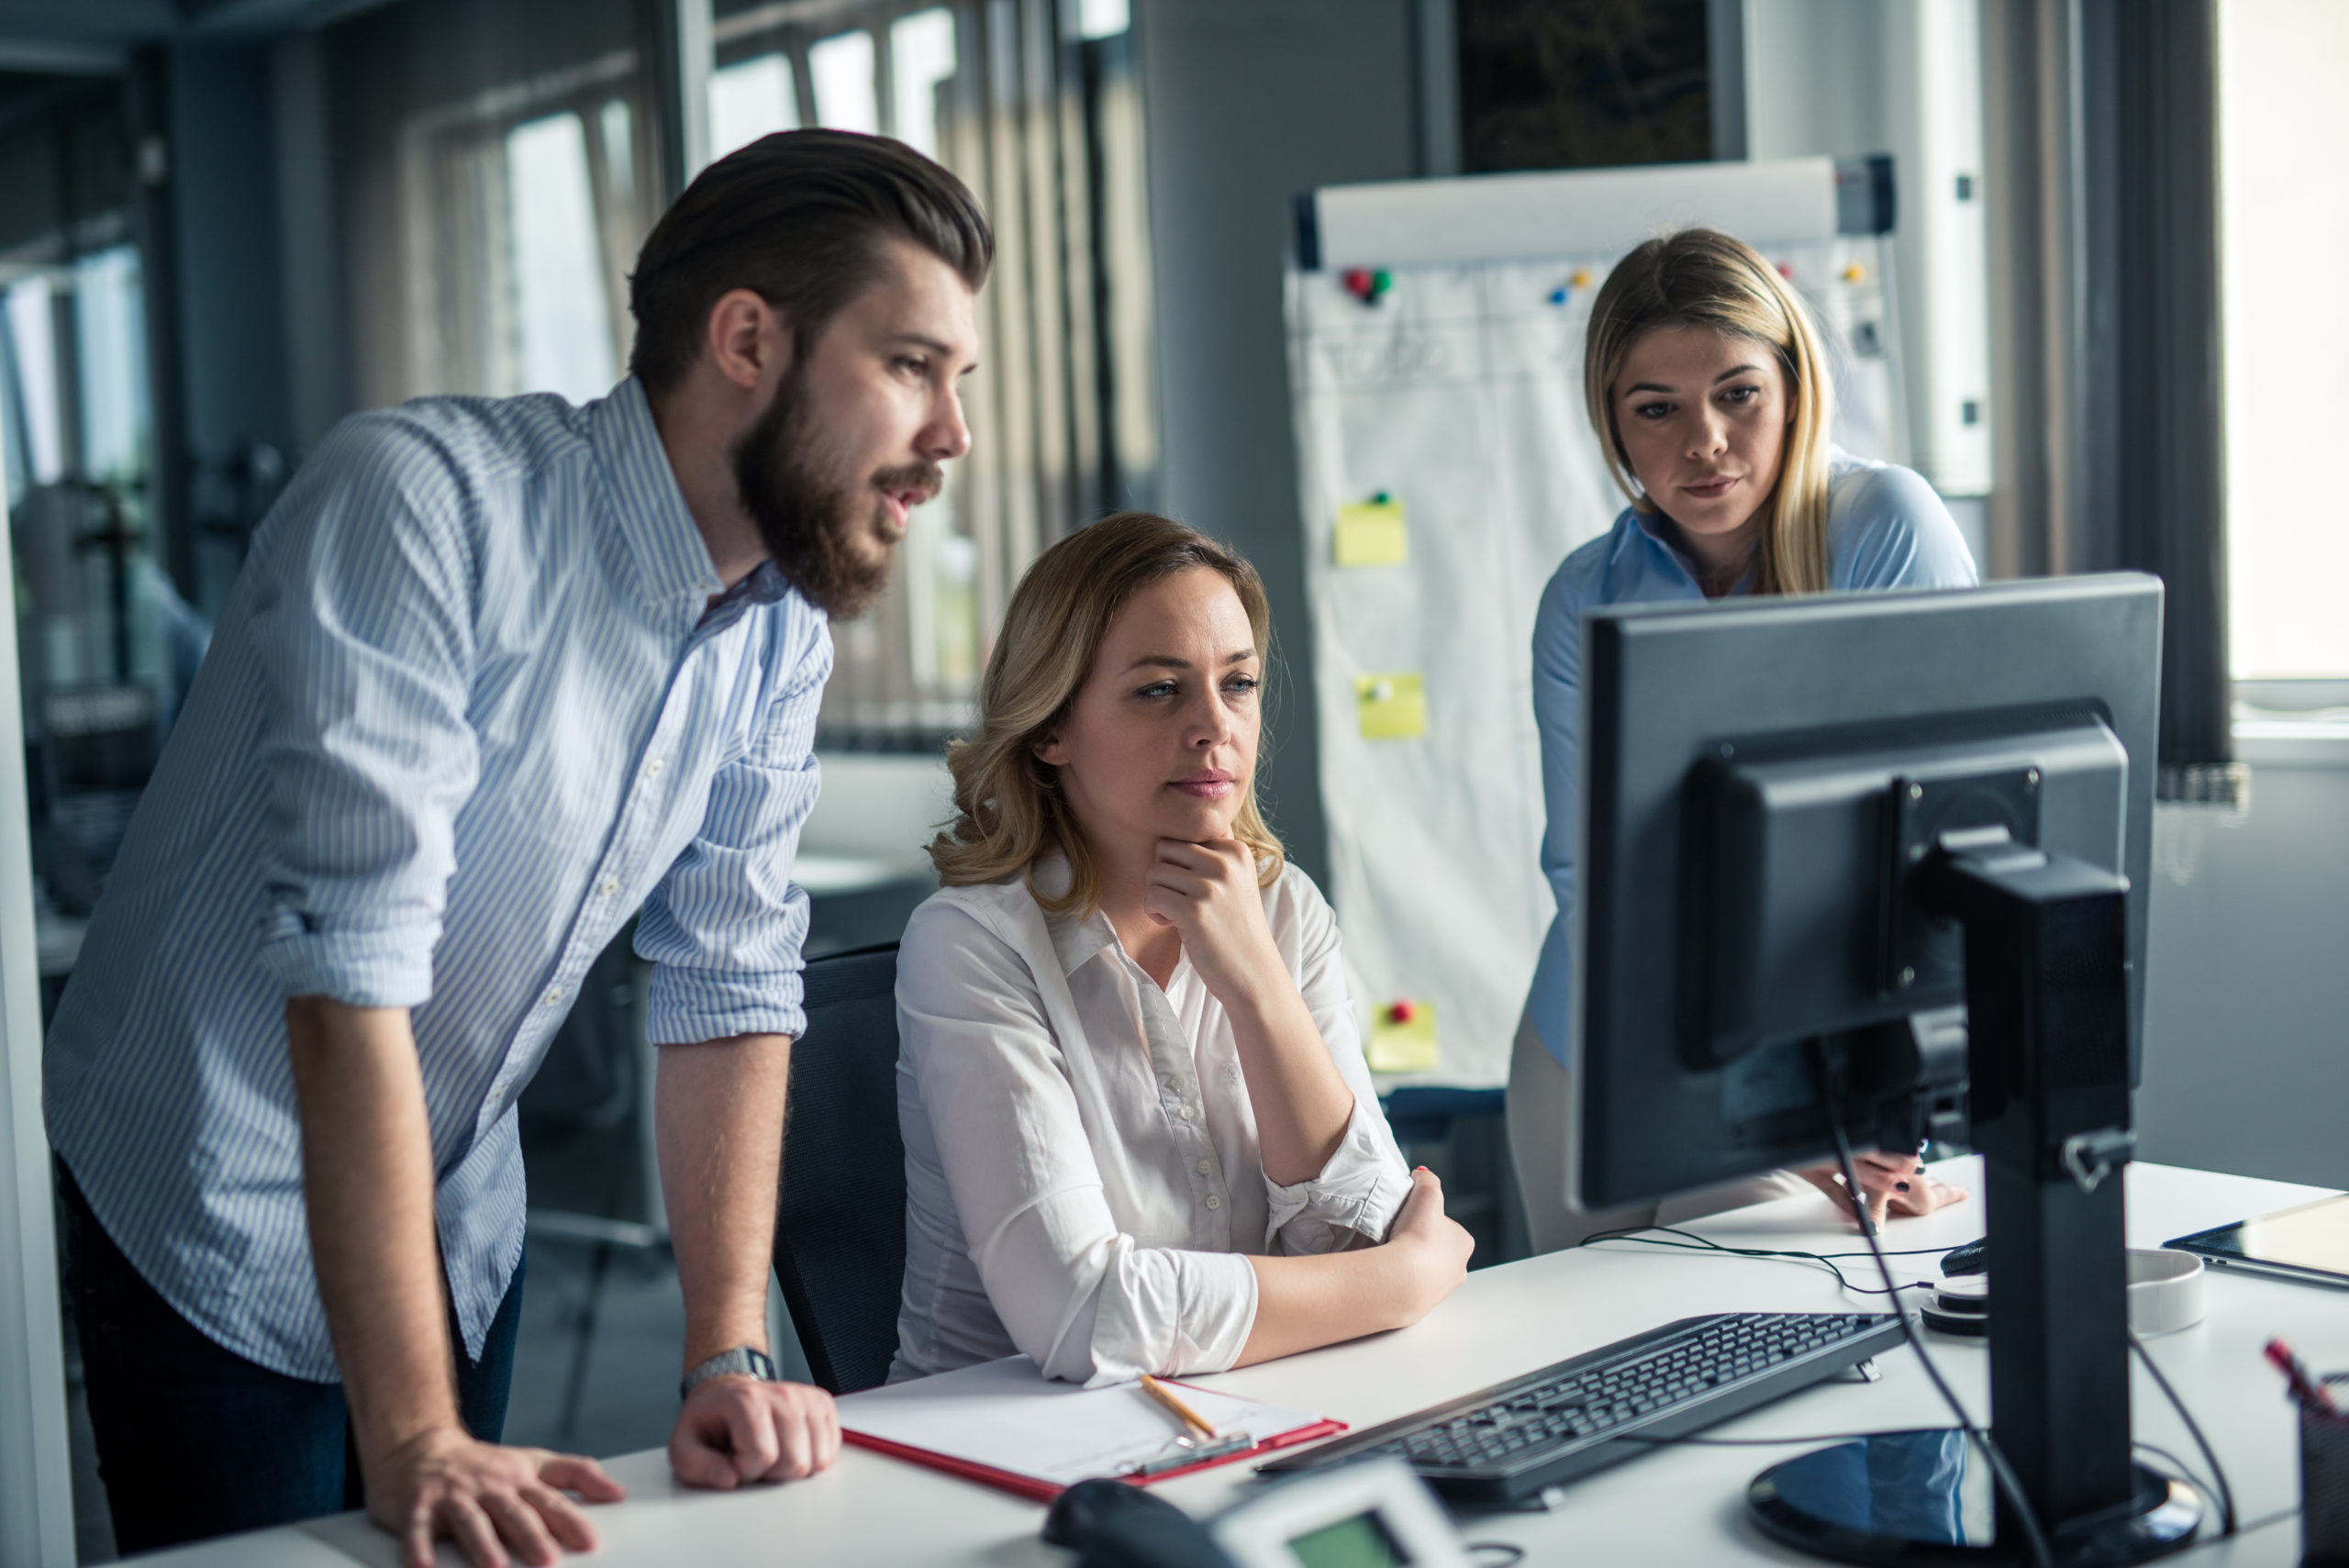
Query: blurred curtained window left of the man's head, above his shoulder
<point x="494" y="170"/>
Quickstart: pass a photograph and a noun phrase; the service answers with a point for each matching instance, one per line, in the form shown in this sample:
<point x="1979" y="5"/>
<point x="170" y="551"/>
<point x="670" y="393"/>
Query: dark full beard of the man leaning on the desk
<point x="828" y="536"/>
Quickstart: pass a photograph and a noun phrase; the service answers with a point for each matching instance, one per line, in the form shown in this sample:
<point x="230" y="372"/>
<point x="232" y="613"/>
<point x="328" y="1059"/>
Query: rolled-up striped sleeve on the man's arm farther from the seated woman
<point x="365" y="626"/>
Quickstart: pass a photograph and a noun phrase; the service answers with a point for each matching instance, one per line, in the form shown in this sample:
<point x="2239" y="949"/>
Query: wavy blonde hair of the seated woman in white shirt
<point x="1009" y="811"/>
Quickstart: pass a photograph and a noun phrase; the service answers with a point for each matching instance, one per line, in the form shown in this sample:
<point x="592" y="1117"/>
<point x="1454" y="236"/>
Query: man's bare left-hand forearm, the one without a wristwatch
<point x="368" y="1177"/>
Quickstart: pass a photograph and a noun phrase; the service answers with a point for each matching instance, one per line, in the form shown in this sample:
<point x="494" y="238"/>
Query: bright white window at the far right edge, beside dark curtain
<point x="2282" y="74"/>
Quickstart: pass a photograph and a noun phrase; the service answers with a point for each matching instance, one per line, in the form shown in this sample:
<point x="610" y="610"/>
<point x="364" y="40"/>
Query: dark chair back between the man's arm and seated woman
<point x="840" y="1229"/>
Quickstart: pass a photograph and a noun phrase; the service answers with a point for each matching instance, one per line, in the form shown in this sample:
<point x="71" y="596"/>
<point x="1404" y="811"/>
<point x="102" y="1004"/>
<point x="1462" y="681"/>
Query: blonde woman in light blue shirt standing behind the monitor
<point x="1711" y="400"/>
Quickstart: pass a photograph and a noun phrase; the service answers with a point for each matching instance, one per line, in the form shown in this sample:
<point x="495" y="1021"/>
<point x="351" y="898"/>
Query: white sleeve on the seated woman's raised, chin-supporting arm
<point x="1361" y="1189"/>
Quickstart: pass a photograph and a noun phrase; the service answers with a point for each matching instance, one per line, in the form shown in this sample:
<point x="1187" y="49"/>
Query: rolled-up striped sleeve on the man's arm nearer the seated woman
<point x="727" y="926"/>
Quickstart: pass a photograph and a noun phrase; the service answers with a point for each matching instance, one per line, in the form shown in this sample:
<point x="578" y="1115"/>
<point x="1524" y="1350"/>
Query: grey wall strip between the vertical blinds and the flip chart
<point x="1248" y="104"/>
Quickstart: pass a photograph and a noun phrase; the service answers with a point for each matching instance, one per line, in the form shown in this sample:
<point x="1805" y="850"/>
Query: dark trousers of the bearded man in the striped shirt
<point x="196" y="1440"/>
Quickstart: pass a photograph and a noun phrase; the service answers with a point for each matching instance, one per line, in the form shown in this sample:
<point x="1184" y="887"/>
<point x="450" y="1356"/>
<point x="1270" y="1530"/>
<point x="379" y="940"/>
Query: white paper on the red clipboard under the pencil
<point x="1009" y="1417"/>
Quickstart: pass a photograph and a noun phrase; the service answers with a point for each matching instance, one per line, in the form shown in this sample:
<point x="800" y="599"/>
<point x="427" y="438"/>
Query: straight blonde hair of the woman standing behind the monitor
<point x="1707" y="278"/>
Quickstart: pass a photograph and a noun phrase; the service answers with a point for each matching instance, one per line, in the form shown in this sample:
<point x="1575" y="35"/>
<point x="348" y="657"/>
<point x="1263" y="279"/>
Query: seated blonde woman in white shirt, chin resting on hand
<point x="1138" y="1128"/>
